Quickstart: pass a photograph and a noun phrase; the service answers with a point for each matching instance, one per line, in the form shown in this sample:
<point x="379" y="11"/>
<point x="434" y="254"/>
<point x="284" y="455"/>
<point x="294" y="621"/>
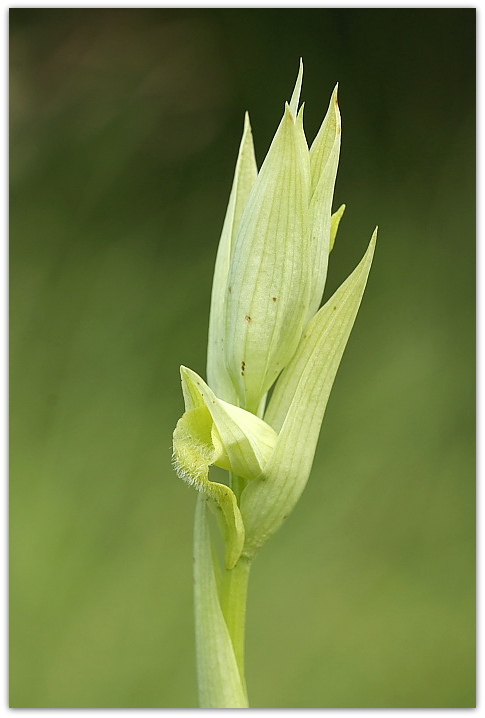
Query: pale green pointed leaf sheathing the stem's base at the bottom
<point x="219" y="681"/>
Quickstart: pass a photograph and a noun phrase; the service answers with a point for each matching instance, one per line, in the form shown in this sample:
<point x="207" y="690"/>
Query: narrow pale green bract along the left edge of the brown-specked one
<point x="244" y="178"/>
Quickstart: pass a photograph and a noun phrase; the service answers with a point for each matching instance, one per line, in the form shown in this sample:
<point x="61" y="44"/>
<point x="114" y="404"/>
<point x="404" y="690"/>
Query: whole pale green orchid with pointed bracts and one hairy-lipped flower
<point x="266" y="331"/>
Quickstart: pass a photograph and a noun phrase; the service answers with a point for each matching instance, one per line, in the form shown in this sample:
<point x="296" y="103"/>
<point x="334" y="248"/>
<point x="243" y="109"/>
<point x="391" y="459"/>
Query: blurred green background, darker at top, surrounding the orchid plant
<point x="125" y="125"/>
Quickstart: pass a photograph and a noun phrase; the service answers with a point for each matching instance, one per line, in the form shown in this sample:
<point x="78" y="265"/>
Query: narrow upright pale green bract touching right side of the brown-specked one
<point x="324" y="158"/>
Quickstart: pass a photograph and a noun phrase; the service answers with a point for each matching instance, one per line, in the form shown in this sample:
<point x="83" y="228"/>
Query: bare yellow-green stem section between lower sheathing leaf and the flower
<point x="233" y="600"/>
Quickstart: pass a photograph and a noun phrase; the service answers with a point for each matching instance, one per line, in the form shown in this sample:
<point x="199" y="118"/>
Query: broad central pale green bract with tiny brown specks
<point x="268" y="285"/>
